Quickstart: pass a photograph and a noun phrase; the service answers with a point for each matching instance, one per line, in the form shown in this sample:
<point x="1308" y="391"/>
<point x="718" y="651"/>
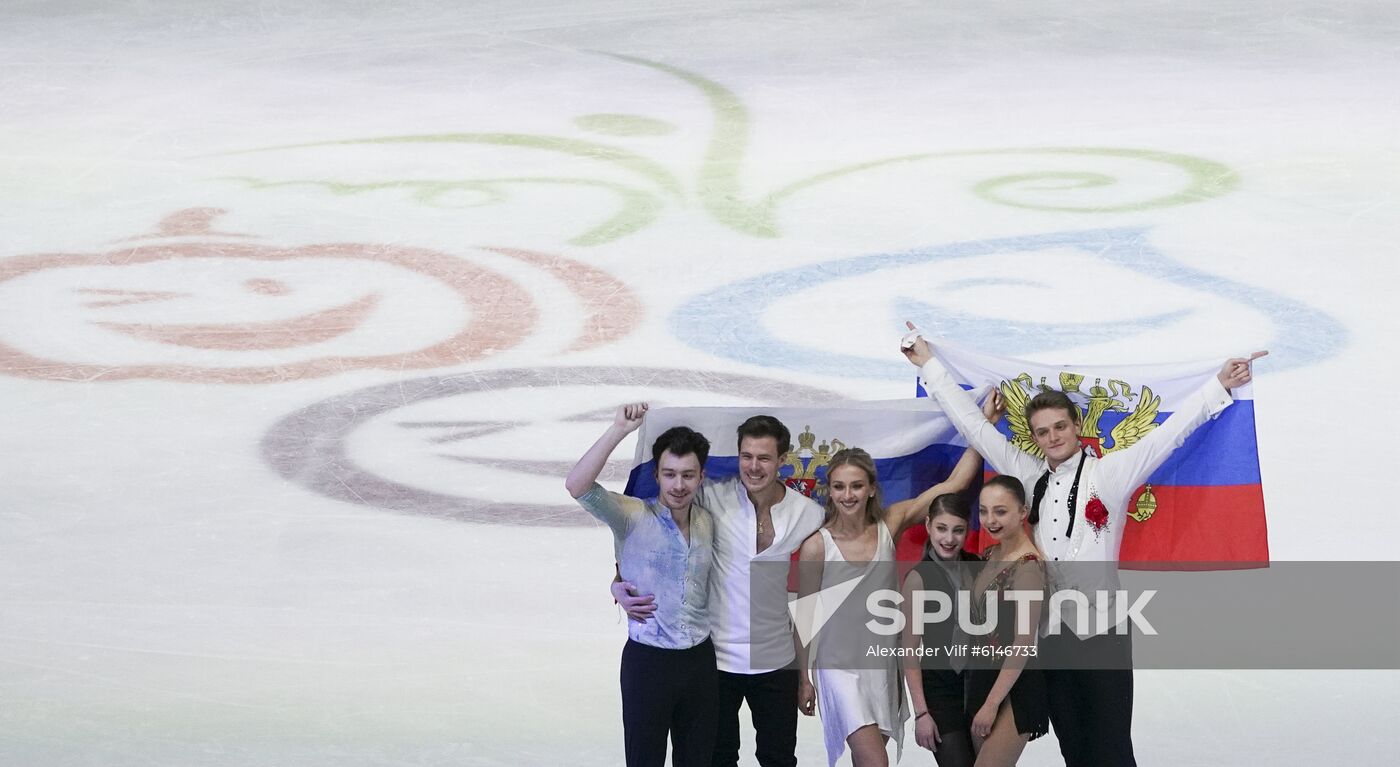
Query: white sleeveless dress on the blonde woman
<point x="850" y="699"/>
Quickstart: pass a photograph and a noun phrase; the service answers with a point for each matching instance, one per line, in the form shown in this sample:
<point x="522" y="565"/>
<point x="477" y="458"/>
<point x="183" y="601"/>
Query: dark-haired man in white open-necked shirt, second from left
<point x="757" y="519"/>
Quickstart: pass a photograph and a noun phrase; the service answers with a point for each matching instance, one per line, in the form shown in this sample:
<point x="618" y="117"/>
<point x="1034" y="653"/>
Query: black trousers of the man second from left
<point x="773" y="709"/>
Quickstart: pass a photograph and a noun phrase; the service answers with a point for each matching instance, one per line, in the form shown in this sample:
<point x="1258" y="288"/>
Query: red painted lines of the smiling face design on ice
<point x="503" y="311"/>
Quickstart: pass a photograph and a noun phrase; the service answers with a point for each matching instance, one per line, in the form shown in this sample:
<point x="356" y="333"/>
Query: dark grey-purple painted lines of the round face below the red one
<point x="309" y="447"/>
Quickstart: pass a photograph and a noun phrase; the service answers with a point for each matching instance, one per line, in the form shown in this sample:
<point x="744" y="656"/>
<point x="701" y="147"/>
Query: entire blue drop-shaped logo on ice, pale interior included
<point x="1017" y="296"/>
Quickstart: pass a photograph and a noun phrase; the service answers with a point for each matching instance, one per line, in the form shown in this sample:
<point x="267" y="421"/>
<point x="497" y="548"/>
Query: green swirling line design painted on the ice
<point x="717" y="183"/>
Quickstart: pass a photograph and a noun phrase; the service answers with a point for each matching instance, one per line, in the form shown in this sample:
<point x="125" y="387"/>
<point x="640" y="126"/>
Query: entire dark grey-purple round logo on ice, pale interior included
<point x="478" y="447"/>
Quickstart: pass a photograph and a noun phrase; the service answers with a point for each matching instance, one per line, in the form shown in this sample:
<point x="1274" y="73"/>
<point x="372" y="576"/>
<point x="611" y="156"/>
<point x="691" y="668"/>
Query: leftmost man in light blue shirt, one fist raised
<point x="663" y="545"/>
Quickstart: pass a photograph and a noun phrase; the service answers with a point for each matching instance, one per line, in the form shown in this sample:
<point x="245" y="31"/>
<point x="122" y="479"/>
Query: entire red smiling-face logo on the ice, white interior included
<point x="188" y="303"/>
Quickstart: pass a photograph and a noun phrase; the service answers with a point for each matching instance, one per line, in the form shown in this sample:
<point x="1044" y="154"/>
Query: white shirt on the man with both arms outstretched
<point x="1111" y="479"/>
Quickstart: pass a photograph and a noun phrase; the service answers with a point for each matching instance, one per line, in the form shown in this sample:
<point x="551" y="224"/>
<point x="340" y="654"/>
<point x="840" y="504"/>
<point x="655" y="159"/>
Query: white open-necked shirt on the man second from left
<point x="733" y="596"/>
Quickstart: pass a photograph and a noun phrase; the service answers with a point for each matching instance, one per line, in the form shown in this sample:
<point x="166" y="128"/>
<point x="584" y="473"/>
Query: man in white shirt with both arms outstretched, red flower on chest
<point x="1079" y="513"/>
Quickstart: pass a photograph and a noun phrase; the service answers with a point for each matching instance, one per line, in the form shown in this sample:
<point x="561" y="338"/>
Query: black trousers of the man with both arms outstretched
<point x="1091" y="710"/>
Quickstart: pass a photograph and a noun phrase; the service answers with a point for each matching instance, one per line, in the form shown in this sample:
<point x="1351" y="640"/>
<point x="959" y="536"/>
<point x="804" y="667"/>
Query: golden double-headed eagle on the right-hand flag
<point x="1118" y="397"/>
